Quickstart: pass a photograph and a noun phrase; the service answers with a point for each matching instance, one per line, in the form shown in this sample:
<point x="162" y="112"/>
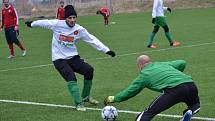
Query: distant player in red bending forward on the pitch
<point x="105" y="13"/>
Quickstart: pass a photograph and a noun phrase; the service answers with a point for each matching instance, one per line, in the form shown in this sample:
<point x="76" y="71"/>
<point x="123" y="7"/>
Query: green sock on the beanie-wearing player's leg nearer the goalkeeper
<point x="86" y="88"/>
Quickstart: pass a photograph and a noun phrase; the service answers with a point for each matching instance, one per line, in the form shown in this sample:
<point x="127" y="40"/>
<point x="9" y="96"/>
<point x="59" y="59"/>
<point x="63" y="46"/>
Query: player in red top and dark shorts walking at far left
<point x="10" y="22"/>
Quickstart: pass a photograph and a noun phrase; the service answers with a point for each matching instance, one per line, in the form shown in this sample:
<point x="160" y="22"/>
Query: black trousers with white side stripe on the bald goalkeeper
<point x="186" y="93"/>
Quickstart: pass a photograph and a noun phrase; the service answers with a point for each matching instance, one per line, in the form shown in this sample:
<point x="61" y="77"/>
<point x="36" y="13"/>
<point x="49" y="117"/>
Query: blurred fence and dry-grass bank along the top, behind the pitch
<point x="32" y="8"/>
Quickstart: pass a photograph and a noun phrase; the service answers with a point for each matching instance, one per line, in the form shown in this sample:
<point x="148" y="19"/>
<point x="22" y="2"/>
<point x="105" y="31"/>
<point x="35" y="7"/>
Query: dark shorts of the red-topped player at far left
<point x="11" y="35"/>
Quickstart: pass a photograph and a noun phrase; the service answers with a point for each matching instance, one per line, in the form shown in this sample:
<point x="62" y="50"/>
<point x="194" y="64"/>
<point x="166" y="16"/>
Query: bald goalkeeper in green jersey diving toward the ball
<point x="167" y="78"/>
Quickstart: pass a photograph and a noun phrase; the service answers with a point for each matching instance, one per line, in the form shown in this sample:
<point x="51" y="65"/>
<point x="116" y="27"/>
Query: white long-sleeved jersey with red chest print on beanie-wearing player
<point x="65" y="37"/>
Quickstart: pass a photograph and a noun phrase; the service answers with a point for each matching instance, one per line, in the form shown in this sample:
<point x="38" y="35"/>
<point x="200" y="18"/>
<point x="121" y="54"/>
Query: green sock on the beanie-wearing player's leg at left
<point x="74" y="91"/>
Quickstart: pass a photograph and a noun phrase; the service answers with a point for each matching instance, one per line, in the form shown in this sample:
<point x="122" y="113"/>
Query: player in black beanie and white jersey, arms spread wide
<point x="66" y="33"/>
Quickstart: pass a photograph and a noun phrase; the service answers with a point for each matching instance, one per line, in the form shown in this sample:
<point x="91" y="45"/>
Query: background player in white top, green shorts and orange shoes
<point x="158" y="19"/>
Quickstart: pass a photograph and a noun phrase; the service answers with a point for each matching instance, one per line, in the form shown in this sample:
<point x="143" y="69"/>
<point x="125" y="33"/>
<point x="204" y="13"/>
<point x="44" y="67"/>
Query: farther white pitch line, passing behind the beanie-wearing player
<point x="120" y="55"/>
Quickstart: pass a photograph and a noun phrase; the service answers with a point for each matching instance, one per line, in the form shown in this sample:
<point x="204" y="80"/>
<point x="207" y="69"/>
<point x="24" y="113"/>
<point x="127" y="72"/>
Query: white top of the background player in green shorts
<point x="158" y="8"/>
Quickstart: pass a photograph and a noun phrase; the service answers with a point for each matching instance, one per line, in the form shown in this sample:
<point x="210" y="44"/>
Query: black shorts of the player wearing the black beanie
<point x="68" y="67"/>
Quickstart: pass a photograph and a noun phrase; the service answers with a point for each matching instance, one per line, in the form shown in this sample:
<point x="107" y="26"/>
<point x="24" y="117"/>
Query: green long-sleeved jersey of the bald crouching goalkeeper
<point x="156" y="76"/>
